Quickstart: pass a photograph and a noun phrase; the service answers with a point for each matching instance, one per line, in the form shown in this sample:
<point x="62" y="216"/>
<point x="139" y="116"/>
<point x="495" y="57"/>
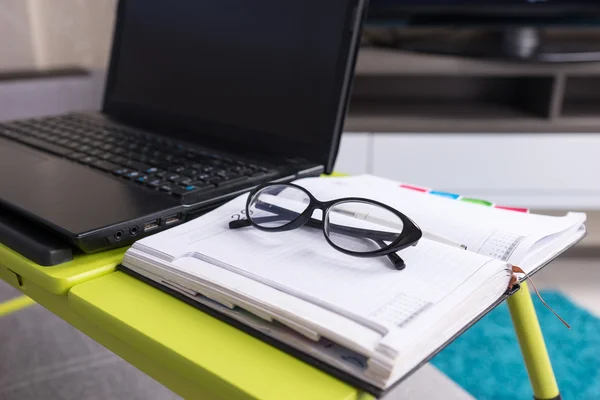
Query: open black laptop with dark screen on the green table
<point x="204" y="100"/>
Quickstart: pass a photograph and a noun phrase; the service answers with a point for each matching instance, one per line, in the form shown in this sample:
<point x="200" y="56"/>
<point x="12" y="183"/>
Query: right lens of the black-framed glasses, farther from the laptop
<point x="362" y="227"/>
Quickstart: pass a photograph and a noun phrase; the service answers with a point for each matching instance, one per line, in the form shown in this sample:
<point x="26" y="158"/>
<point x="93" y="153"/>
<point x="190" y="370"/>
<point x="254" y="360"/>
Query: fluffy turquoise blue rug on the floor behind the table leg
<point x="486" y="360"/>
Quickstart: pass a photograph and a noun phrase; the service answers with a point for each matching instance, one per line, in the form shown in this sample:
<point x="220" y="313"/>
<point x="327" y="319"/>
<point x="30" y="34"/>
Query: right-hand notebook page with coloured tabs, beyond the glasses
<point x="501" y="234"/>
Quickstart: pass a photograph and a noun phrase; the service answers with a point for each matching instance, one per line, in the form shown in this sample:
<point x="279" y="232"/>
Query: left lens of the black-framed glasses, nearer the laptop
<point x="277" y="205"/>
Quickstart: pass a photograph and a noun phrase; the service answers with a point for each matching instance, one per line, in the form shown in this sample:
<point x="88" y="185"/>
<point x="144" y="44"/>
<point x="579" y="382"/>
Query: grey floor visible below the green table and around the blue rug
<point x="35" y="362"/>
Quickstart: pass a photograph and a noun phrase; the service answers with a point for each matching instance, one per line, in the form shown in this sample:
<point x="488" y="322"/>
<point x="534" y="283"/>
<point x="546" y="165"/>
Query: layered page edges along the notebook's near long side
<point x="234" y="290"/>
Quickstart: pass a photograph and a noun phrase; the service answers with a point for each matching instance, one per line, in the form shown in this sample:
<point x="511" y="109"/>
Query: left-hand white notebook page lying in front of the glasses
<point x="302" y="263"/>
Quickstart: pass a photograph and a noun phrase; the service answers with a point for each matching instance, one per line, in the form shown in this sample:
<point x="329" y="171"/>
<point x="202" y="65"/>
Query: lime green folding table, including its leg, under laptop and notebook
<point x="196" y="355"/>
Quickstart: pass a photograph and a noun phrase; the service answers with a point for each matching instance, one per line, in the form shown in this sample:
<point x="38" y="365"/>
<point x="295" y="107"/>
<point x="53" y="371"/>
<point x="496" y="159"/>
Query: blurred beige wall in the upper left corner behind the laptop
<point x="55" y="33"/>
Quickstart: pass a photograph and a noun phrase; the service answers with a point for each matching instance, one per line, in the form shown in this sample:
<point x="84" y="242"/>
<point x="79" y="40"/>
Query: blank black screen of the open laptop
<point x="268" y="74"/>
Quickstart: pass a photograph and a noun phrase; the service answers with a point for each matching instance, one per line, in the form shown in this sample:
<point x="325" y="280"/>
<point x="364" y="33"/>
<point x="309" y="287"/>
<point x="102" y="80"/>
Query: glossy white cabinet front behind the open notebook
<point x="531" y="170"/>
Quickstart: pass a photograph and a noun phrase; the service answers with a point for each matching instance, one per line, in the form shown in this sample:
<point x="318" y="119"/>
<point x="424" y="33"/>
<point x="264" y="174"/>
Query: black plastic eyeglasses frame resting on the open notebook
<point x="409" y="236"/>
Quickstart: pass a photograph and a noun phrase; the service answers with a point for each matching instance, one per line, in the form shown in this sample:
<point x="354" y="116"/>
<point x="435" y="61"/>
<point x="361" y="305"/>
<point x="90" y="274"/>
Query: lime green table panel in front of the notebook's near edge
<point x="220" y="359"/>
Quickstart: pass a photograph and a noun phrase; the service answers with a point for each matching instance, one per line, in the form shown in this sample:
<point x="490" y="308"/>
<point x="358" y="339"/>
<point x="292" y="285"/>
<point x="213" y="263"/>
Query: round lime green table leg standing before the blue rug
<point x="532" y="345"/>
